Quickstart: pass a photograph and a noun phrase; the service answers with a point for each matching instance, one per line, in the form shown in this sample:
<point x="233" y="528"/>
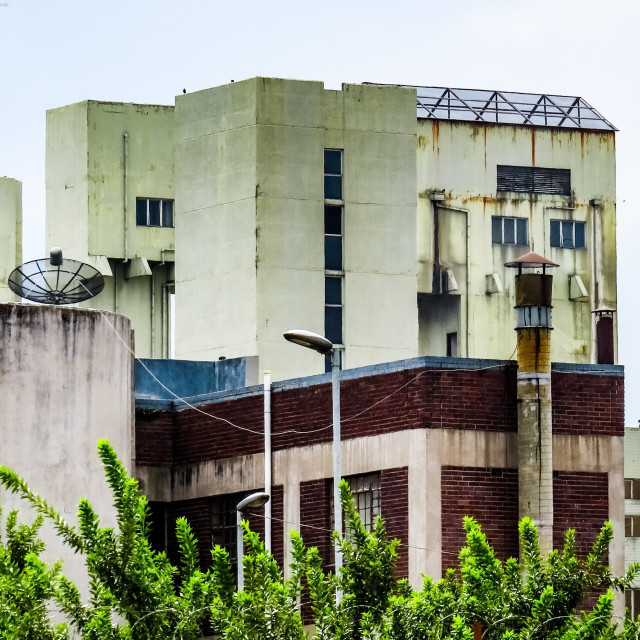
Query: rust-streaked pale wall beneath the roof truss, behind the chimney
<point x="461" y="160"/>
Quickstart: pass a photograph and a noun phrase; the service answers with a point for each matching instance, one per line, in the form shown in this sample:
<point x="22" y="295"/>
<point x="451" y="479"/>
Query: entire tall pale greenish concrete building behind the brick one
<point x="379" y="216"/>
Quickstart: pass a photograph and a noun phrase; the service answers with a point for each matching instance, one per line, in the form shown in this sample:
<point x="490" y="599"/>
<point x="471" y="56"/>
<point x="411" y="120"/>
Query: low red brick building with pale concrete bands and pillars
<point x="426" y="441"/>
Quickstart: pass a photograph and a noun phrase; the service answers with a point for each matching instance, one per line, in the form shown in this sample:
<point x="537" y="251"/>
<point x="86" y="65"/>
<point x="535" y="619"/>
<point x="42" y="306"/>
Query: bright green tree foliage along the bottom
<point x="136" y="593"/>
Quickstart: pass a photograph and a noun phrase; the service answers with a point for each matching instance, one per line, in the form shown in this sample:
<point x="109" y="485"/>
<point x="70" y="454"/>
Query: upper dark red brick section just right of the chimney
<point x="587" y="404"/>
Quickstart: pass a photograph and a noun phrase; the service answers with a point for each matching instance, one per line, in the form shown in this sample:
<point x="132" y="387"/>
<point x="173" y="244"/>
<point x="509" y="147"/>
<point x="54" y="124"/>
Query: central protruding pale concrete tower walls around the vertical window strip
<point x="250" y="230"/>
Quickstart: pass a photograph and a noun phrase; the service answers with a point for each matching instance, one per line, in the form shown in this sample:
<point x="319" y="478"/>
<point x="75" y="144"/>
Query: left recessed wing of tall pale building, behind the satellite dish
<point x="101" y="158"/>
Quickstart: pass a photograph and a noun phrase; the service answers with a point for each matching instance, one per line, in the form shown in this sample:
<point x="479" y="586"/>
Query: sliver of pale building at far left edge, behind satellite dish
<point x="11" y="236"/>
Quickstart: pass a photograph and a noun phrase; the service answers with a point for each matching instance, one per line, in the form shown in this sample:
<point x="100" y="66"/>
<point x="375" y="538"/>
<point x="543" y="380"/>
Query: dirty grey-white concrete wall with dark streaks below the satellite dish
<point x="66" y="380"/>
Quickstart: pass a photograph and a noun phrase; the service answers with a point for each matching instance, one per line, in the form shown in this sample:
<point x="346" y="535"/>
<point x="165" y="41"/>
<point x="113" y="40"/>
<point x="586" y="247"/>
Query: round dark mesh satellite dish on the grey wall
<point x="56" y="280"/>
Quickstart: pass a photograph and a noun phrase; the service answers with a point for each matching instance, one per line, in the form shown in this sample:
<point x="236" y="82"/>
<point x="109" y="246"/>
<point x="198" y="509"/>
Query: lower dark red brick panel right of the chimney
<point x="580" y="501"/>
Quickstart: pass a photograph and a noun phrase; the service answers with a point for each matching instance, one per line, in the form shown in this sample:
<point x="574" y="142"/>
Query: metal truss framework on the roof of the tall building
<point x="509" y="107"/>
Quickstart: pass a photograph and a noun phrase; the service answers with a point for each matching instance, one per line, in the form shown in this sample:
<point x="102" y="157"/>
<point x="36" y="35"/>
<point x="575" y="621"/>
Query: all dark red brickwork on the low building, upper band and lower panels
<point x="480" y="398"/>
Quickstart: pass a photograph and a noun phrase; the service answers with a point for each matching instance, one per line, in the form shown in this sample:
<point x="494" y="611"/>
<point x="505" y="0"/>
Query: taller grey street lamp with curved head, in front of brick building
<point x="325" y="347"/>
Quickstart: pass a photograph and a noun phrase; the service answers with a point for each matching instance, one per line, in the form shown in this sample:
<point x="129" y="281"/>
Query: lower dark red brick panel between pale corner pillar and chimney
<point x="488" y="495"/>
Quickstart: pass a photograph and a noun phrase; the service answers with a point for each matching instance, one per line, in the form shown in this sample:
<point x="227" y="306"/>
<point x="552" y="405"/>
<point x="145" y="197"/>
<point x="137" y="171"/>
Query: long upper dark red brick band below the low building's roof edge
<point x="377" y="404"/>
